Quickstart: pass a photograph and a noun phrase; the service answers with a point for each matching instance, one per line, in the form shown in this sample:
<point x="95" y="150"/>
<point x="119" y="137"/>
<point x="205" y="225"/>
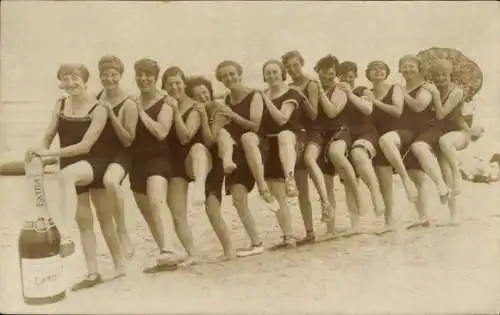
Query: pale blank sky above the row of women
<point x="38" y="36"/>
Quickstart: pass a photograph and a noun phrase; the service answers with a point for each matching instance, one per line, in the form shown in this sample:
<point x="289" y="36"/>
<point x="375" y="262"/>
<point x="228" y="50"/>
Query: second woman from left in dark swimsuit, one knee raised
<point x="119" y="133"/>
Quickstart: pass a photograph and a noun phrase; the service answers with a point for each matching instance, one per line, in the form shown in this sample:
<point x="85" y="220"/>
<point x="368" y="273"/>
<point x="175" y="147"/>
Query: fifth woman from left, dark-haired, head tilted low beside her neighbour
<point x="201" y="90"/>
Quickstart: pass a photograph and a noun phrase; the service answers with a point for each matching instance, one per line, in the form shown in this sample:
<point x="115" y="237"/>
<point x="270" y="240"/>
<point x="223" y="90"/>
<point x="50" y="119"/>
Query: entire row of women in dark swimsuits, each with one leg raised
<point x="166" y="138"/>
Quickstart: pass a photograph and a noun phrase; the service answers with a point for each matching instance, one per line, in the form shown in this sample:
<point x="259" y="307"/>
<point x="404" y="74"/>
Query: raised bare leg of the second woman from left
<point x="112" y="178"/>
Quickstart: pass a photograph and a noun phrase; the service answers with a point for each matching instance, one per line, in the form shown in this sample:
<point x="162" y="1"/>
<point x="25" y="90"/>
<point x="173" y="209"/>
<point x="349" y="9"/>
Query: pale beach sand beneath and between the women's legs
<point x="438" y="269"/>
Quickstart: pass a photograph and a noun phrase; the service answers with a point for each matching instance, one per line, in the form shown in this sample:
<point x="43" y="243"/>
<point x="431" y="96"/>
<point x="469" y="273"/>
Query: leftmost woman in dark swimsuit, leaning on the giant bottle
<point x="79" y="120"/>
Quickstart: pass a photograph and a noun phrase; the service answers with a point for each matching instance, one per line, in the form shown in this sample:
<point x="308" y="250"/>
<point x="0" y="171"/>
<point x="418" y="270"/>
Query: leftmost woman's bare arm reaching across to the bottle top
<point x="98" y="121"/>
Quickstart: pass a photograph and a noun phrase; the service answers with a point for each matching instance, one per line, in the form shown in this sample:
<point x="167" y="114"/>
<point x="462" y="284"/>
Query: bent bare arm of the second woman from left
<point x="125" y="124"/>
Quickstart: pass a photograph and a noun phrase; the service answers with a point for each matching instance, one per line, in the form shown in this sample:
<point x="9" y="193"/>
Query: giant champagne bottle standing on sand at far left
<point x="41" y="265"/>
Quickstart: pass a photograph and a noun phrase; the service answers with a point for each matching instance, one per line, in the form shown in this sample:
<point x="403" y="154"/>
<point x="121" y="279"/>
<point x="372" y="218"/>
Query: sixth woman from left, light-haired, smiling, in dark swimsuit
<point x="240" y="144"/>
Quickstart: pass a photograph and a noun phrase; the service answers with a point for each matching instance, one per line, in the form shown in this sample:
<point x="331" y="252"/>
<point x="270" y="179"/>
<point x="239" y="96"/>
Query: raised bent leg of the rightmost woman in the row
<point x="449" y="144"/>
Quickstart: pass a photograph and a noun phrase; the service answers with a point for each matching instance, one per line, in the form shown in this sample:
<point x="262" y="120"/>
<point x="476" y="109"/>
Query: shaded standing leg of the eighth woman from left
<point x="302" y="179"/>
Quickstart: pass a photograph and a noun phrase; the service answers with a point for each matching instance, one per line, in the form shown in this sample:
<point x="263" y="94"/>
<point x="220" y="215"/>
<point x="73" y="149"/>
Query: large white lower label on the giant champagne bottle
<point x="42" y="277"/>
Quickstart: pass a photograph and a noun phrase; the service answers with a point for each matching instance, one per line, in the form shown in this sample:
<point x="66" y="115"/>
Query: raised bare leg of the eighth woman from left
<point x="311" y="155"/>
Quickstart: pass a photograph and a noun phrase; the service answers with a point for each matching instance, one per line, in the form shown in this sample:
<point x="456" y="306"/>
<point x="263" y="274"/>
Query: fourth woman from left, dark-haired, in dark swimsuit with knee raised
<point x="190" y="156"/>
